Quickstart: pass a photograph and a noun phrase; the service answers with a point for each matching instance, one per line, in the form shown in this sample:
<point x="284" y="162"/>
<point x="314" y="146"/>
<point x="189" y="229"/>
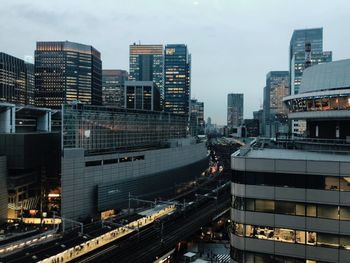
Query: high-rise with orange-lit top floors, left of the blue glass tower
<point x="147" y="64"/>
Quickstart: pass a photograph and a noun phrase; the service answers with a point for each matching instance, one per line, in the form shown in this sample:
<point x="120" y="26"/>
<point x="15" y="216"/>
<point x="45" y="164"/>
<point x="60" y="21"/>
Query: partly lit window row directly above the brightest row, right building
<point x="292" y="208"/>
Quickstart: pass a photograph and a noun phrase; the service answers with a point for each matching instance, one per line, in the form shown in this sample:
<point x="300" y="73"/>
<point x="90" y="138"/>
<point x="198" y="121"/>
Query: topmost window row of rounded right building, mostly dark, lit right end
<point x="309" y="181"/>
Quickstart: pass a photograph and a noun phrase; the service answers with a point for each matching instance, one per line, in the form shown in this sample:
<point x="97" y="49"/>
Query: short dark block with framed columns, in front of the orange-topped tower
<point x="141" y="95"/>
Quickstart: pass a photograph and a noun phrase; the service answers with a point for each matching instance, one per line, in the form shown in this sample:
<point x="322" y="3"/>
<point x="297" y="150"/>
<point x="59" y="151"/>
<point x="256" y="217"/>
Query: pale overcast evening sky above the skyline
<point x="234" y="43"/>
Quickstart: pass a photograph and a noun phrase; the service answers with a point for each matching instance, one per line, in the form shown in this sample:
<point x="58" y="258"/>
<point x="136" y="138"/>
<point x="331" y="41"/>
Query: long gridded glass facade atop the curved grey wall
<point x="102" y="129"/>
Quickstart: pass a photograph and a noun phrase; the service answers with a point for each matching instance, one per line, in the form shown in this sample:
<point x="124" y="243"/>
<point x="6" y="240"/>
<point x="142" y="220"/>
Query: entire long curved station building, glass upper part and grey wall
<point x="110" y="152"/>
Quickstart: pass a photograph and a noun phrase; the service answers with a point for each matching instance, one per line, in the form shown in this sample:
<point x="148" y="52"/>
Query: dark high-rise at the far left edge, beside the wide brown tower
<point x="16" y="80"/>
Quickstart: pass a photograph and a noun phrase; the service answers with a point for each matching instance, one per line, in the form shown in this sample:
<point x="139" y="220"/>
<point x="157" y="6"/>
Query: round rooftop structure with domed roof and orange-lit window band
<point x="324" y="101"/>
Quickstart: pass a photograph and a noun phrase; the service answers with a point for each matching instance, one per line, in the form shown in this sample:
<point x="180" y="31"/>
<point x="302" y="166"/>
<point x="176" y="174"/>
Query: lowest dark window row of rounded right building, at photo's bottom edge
<point x="254" y="257"/>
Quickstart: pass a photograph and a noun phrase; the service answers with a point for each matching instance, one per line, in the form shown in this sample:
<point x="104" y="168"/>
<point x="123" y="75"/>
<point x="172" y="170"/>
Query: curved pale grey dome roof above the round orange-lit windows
<point x="326" y="76"/>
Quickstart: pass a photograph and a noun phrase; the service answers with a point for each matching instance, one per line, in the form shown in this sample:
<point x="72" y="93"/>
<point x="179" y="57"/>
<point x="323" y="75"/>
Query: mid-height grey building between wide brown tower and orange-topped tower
<point x="113" y="87"/>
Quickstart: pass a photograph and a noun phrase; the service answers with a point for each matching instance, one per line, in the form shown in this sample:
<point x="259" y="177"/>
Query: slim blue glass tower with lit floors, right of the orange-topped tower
<point x="177" y="88"/>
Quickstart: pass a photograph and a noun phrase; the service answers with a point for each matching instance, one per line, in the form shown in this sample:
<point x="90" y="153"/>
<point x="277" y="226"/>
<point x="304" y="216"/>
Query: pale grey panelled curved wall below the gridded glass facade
<point x="80" y="182"/>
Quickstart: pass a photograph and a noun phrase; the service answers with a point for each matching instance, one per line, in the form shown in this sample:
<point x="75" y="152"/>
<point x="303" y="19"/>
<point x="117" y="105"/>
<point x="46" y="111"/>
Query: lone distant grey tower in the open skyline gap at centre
<point x="234" y="109"/>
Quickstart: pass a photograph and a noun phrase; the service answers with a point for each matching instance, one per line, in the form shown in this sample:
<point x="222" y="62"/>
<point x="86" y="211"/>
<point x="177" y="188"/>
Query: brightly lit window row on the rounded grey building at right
<point x="294" y="236"/>
